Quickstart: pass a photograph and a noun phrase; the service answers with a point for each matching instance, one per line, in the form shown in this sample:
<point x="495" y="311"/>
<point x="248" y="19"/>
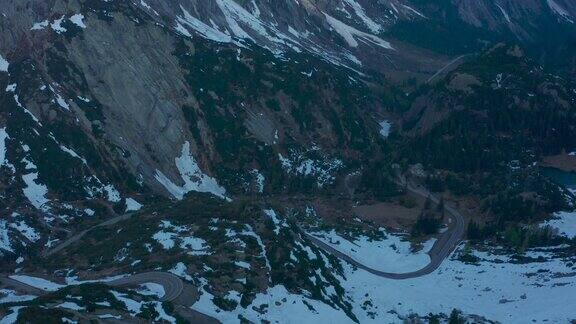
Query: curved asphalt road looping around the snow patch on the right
<point x="442" y="248"/>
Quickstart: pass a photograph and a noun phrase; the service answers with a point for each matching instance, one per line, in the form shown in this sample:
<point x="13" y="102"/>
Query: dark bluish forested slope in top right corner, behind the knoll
<point x="552" y="39"/>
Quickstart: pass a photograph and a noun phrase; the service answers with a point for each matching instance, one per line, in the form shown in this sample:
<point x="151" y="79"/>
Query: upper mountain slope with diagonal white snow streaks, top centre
<point x="329" y="30"/>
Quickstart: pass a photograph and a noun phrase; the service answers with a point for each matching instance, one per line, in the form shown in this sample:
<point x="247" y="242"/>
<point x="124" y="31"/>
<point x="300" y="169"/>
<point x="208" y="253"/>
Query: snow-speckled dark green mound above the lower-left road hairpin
<point x="237" y="231"/>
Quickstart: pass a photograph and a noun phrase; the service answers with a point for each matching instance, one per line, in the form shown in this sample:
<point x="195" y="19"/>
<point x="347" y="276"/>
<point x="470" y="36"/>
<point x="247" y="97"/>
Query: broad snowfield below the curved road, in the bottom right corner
<point x="502" y="291"/>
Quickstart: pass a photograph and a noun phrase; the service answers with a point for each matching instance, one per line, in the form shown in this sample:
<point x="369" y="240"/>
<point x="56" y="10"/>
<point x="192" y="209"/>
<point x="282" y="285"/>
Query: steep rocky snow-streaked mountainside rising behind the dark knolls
<point x="109" y="100"/>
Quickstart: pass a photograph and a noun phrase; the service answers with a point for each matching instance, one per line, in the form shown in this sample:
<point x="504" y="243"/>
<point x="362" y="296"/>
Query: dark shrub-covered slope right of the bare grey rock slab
<point x="250" y="99"/>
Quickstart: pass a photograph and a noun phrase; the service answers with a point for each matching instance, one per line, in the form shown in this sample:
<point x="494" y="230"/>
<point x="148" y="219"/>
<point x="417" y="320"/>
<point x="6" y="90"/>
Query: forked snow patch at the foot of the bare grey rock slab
<point x="194" y="179"/>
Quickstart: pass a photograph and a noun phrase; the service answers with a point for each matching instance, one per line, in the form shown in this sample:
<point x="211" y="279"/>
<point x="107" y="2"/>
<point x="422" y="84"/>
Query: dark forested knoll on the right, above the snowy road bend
<point x="482" y="129"/>
